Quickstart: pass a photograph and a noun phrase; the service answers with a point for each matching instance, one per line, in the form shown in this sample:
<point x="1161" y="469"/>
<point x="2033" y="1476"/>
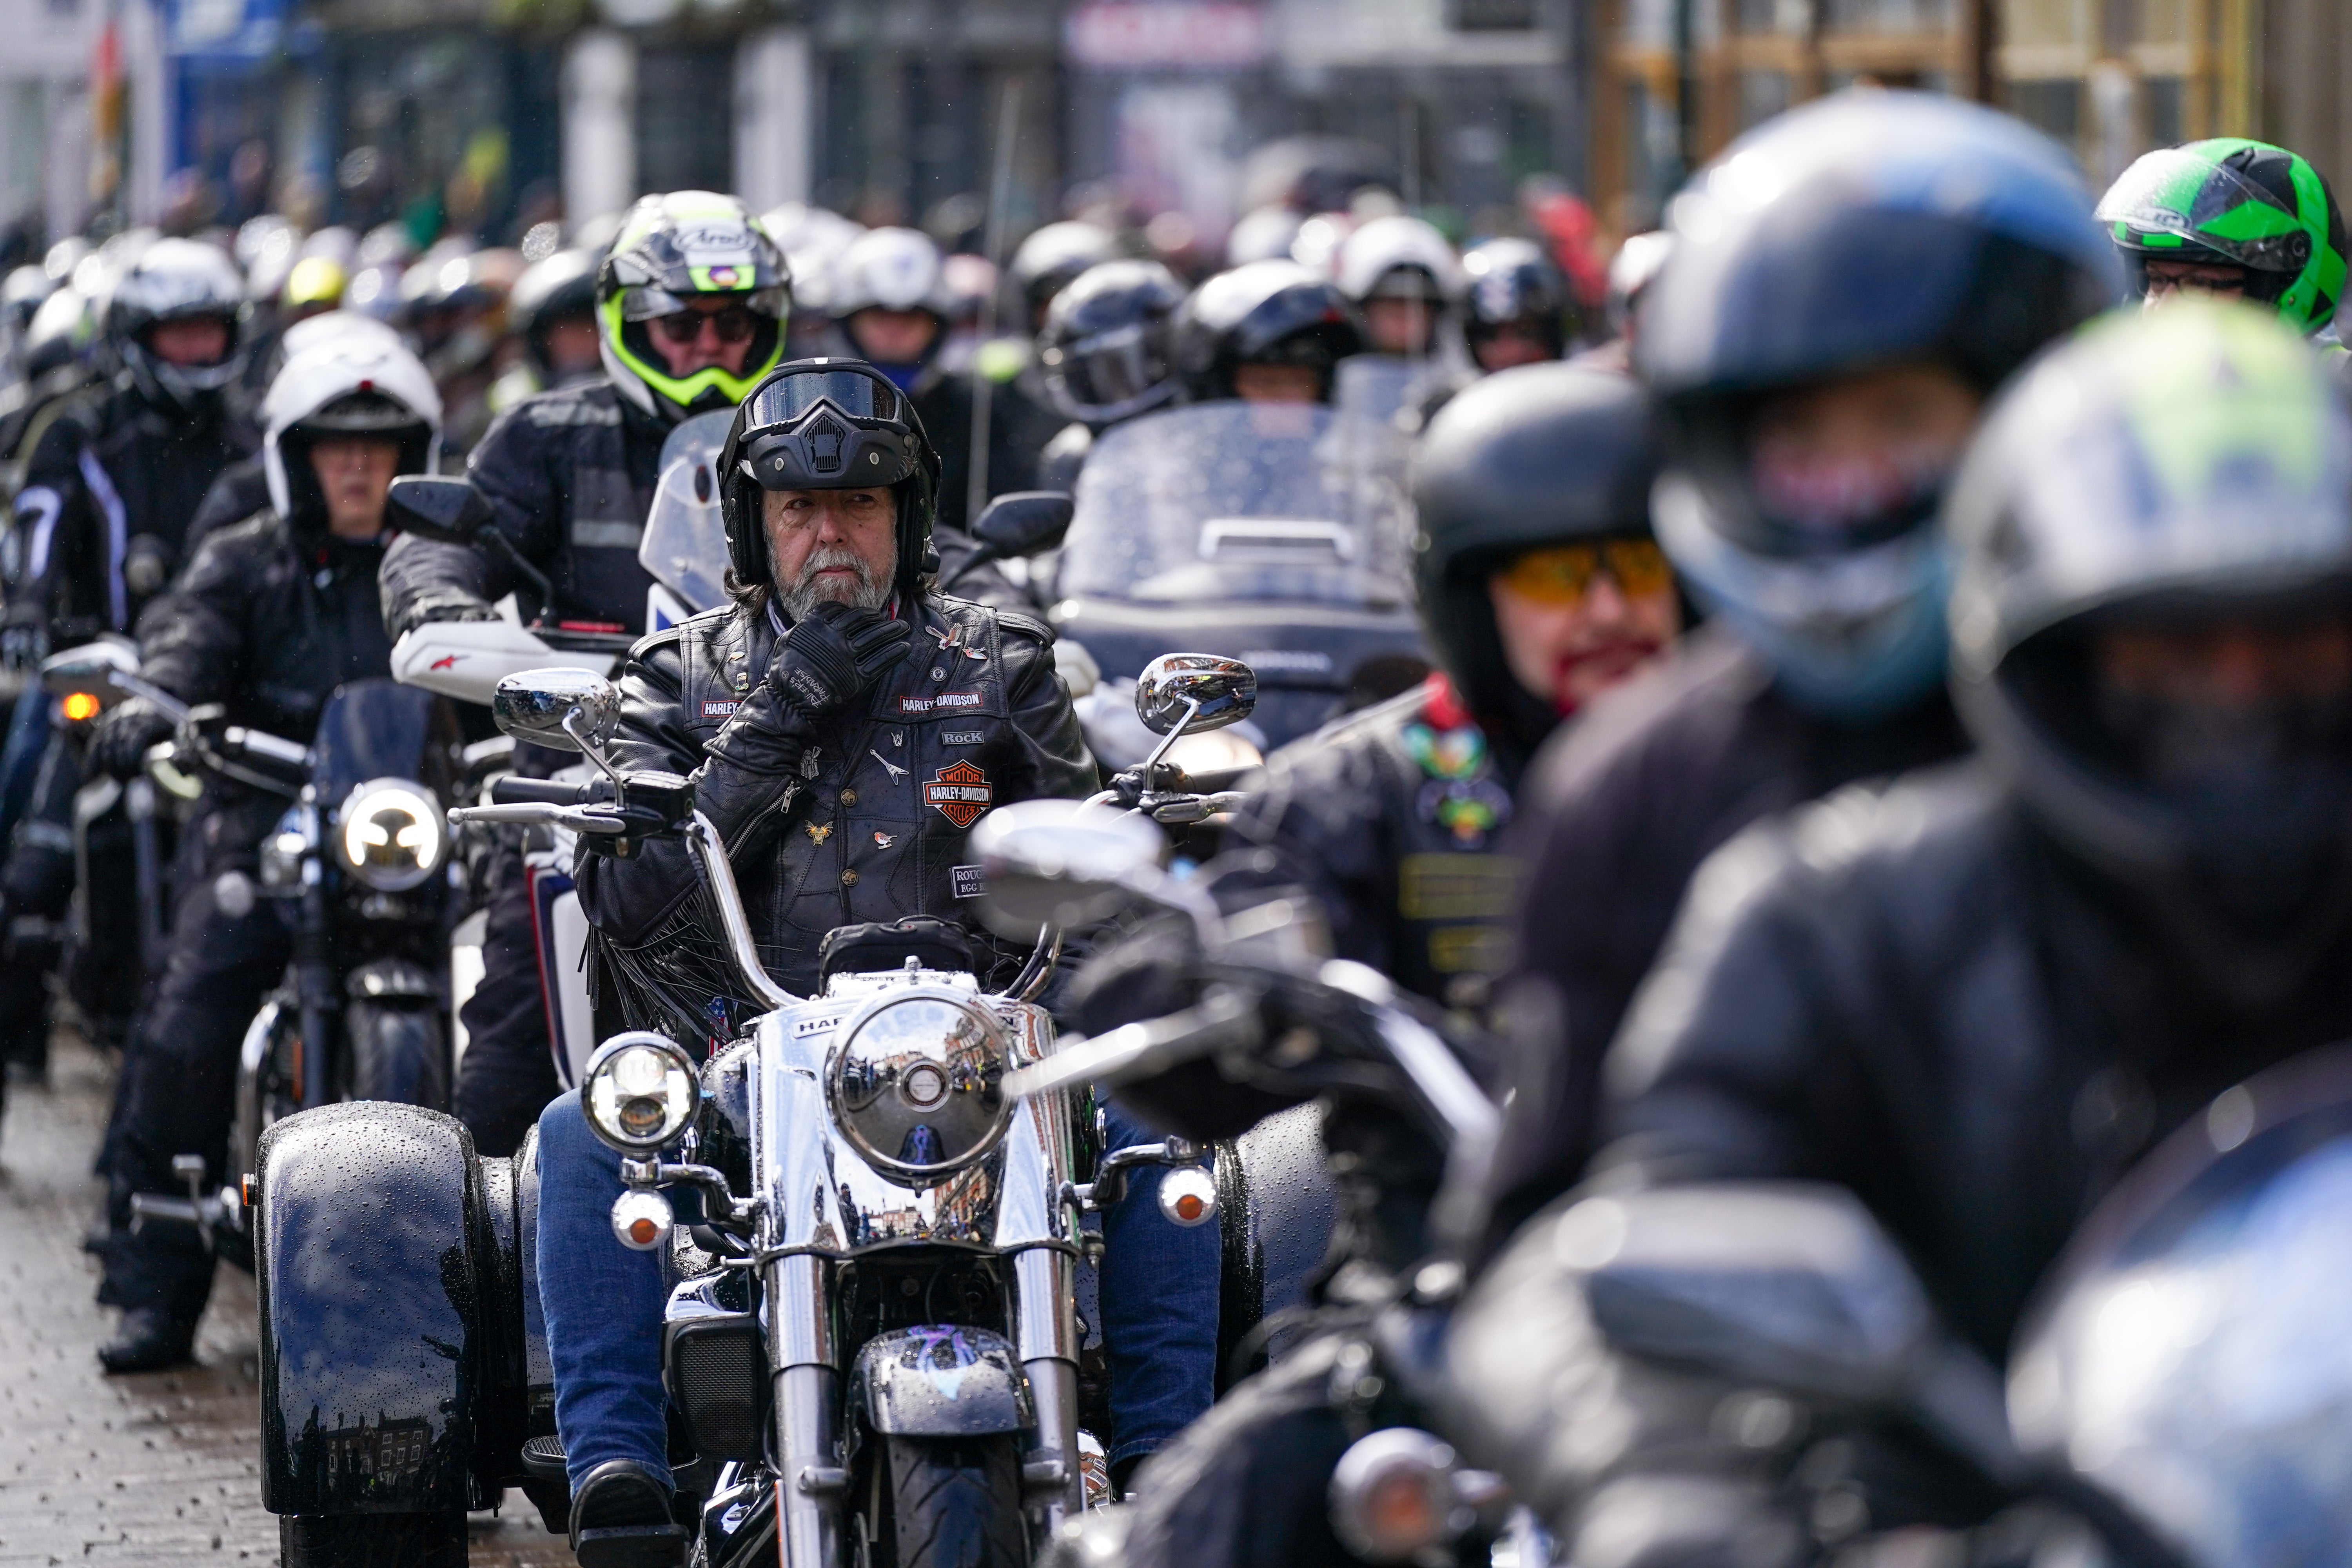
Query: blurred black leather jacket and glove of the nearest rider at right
<point x="1916" y="996"/>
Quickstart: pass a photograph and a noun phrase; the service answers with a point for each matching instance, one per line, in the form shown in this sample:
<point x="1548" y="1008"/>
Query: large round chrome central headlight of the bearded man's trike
<point x="916" y="1085"/>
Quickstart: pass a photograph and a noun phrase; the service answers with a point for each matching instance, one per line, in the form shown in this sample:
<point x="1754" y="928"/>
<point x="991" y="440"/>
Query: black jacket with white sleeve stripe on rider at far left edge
<point x="105" y="511"/>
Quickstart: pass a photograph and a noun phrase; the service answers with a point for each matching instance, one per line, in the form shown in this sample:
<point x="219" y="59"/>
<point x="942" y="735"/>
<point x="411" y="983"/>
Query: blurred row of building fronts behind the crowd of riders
<point x="495" y="114"/>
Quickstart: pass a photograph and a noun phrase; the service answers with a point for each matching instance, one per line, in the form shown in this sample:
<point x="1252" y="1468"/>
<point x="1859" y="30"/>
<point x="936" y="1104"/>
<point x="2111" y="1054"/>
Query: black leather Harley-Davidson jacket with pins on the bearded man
<point x="853" y="819"/>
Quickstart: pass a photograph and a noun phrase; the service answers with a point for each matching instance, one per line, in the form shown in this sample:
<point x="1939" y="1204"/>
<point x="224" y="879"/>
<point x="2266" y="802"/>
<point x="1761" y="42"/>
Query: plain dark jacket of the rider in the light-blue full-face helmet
<point x="1615" y="817"/>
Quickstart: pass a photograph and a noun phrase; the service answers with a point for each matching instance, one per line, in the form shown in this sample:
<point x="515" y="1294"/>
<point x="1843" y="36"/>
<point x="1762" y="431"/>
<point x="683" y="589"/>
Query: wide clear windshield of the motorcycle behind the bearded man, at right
<point x="1241" y="502"/>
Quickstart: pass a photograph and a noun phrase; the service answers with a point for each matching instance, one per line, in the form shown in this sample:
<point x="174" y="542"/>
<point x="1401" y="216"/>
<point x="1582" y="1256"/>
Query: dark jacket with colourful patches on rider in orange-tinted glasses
<point x="1391" y="819"/>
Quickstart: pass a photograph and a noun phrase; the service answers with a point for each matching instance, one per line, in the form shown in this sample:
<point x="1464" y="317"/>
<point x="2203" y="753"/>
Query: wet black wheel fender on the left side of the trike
<point x="370" y="1252"/>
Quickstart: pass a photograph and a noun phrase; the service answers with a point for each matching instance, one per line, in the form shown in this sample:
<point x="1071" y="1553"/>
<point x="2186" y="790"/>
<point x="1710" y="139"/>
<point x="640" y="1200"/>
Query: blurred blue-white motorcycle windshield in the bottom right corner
<point x="2193" y="1353"/>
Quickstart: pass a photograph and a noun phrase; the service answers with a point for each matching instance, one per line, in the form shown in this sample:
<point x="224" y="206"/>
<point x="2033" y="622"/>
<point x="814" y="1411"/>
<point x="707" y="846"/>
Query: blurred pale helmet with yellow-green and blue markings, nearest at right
<point x="2170" y="474"/>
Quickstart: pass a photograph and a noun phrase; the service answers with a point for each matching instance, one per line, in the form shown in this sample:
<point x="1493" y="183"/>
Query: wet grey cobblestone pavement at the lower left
<point x="131" y="1470"/>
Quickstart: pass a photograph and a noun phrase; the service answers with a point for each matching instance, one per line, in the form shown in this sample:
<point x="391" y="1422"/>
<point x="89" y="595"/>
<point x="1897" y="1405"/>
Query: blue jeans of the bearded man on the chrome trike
<point x="603" y="1308"/>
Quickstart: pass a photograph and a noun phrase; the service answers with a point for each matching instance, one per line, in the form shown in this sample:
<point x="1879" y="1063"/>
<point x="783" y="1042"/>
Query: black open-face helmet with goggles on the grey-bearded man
<point x="829" y="424"/>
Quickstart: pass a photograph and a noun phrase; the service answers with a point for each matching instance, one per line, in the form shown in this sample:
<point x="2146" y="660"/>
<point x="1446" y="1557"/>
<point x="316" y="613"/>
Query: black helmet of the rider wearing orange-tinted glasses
<point x="1542" y="455"/>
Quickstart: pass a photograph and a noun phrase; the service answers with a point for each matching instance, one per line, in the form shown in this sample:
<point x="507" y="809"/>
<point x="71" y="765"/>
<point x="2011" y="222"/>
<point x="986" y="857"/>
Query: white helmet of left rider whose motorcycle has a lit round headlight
<point x="356" y="382"/>
